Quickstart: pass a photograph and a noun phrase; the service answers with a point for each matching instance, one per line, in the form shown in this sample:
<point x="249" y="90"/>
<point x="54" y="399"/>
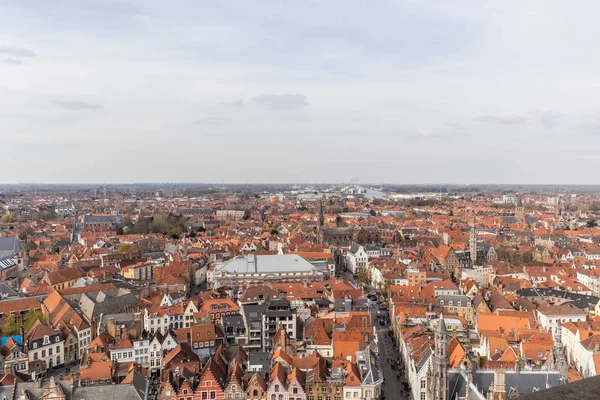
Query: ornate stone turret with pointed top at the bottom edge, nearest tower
<point x="438" y="387"/>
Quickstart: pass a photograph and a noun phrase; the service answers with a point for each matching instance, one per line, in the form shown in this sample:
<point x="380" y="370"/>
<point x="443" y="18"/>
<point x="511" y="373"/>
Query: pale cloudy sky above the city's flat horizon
<point x="384" y="91"/>
